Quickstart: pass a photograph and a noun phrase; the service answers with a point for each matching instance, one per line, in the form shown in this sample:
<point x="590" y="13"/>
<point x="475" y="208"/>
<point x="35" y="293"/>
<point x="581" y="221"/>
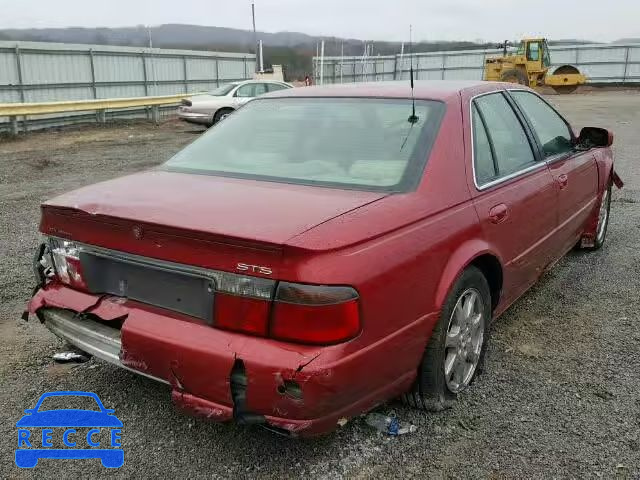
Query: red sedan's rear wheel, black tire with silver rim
<point x="456" y="348"/>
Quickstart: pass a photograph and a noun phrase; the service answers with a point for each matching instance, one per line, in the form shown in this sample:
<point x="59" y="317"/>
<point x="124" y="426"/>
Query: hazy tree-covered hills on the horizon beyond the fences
<point x="292" y="49"/>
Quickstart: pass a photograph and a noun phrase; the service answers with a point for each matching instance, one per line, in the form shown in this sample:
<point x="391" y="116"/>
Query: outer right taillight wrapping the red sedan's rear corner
<point x="315" y="314"/>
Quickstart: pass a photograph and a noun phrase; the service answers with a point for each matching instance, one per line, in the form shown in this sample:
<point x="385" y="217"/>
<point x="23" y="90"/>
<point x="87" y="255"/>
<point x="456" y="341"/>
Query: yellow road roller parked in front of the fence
<point x="530" y="65"/>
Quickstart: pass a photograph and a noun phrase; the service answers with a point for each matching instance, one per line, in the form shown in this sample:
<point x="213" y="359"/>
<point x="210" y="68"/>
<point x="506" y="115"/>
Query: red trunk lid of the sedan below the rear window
<point x="202" y="220"/>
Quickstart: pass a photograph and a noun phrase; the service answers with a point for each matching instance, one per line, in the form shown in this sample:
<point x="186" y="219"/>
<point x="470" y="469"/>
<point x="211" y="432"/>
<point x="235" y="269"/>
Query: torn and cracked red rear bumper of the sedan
<point x="221" y="375"/>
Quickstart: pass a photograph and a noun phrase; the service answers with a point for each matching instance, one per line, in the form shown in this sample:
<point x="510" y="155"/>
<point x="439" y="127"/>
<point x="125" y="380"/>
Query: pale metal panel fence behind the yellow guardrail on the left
<point x="44" y="72"/>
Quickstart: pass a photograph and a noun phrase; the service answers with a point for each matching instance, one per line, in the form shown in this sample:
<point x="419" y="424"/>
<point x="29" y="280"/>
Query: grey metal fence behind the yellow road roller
<point x="610" y="63"/>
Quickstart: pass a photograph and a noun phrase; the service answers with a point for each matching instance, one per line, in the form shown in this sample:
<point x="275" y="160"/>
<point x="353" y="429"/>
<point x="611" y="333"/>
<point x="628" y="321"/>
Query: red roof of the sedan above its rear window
<point x="424" y="89"/>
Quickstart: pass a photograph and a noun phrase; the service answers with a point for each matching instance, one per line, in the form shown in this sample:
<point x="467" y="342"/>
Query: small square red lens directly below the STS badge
<point x="241" y="314"/>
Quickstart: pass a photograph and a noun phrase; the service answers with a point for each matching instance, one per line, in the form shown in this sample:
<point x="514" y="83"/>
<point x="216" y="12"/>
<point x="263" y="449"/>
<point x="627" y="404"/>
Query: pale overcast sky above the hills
<point x="364" y="19"/>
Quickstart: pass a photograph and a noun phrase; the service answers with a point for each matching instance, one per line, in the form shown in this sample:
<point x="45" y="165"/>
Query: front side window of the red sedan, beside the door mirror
<point x="552" y="131"/>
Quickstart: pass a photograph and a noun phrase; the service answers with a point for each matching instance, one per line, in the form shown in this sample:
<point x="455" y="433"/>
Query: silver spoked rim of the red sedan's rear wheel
<point x="465" y="336"/>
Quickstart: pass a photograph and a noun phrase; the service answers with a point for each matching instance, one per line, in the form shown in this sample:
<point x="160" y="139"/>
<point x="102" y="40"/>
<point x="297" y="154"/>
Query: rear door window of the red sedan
<point x="505" y="134"/>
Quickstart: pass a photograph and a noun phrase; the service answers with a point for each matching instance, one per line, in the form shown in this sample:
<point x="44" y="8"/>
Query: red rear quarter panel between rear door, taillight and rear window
<point x="401" y="253"/>
